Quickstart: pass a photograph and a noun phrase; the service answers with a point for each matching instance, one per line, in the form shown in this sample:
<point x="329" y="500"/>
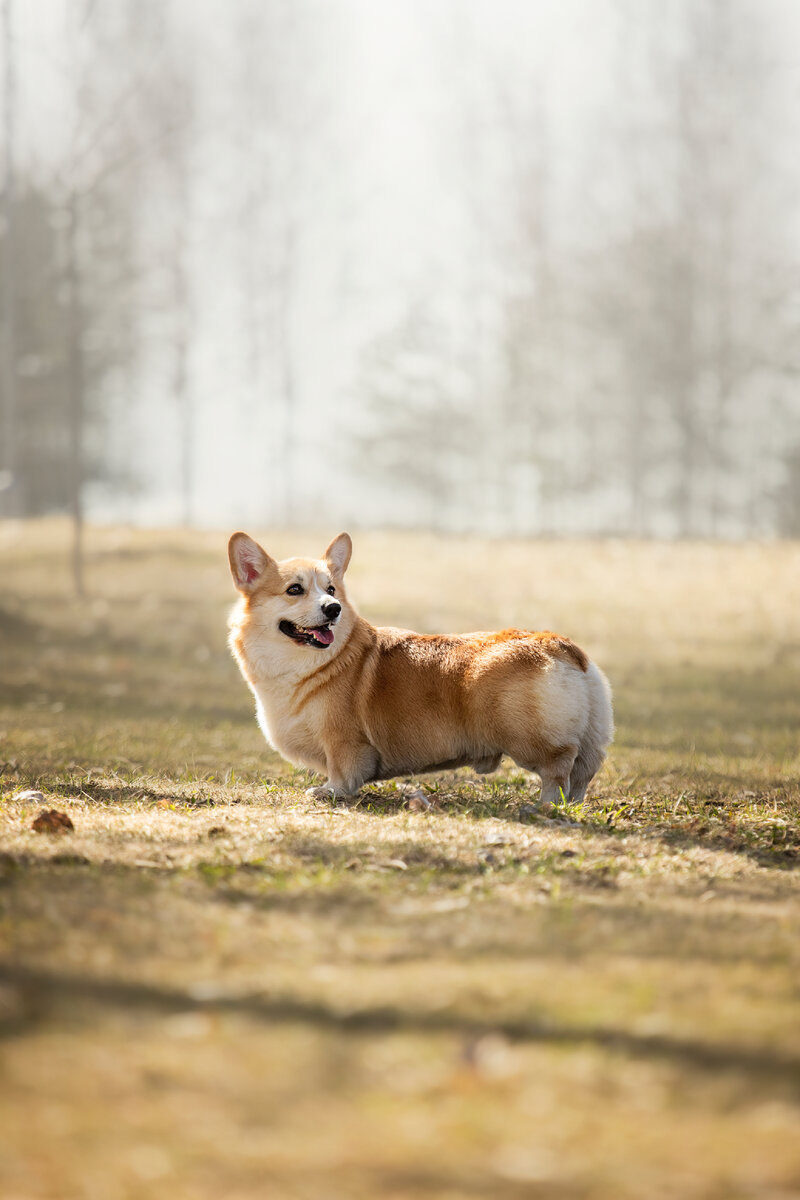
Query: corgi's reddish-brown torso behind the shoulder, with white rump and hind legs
<point x="466" y="700"/>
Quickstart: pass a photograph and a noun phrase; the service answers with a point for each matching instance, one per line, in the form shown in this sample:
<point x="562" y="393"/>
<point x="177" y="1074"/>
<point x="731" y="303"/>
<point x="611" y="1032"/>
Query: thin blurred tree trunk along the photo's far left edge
<point x="10" y="489"/>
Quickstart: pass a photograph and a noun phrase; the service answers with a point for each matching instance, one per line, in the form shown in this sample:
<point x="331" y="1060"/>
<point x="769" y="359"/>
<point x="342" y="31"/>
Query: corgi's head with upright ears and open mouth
<point x="300" y="603"/>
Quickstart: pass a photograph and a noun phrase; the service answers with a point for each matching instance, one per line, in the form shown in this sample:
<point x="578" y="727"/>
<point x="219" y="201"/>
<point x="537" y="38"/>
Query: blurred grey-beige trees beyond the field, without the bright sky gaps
<point x="618" y="356"/>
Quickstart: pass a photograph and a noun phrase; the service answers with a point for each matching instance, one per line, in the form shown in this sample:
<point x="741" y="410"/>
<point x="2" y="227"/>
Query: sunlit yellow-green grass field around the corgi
<point x="216" y="988"/>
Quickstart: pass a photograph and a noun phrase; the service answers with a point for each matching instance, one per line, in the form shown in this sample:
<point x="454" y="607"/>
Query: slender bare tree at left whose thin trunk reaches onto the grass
<point x="95" y="190"/>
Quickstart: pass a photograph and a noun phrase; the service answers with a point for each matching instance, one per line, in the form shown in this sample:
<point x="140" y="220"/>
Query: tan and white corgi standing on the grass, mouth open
<point x="358" y="704"/>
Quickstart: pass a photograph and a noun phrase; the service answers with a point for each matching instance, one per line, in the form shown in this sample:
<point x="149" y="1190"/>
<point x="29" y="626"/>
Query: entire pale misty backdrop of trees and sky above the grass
<point x="514" y="267"/>
